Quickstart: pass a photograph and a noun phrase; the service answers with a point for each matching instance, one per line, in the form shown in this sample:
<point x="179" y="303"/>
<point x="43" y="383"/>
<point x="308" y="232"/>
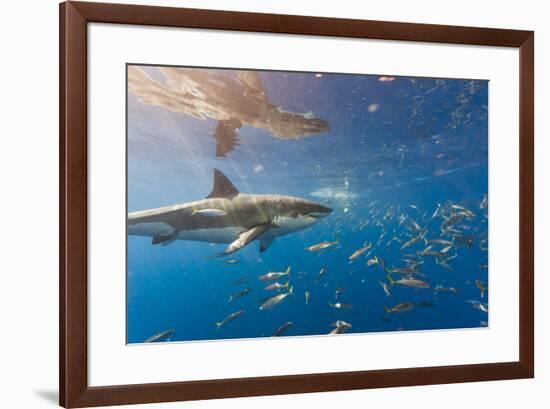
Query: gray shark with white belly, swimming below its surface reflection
<point x="238" y="218"/>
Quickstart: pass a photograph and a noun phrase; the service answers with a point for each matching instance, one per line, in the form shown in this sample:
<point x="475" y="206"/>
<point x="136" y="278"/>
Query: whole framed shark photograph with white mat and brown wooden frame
<point x="255" y="204"/>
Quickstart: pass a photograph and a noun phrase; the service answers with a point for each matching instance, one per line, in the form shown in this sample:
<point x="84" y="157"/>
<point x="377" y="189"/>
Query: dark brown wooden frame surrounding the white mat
<point x="73" y="382"/>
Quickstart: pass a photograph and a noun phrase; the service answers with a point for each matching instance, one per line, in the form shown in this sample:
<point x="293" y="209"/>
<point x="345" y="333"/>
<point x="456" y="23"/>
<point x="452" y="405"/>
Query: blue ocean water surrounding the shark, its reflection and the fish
<point x="398" y="149"/>
